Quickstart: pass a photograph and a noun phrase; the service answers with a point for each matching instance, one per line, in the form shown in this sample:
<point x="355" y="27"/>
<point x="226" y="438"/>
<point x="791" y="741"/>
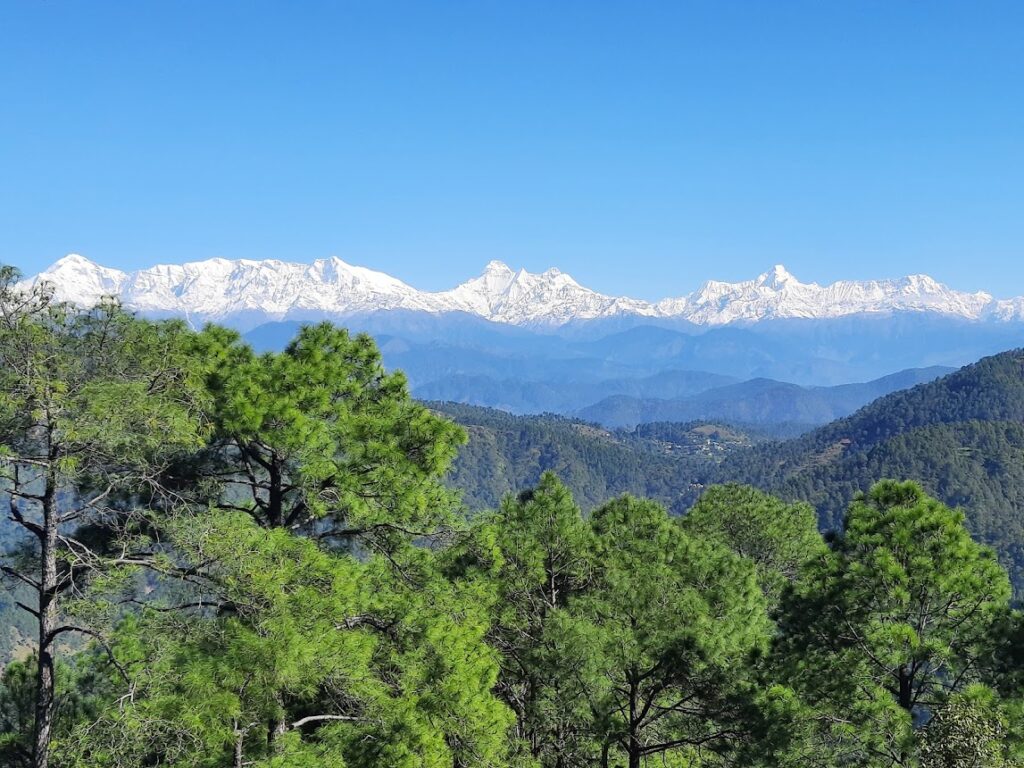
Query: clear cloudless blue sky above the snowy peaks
<point x="642" y="147"/>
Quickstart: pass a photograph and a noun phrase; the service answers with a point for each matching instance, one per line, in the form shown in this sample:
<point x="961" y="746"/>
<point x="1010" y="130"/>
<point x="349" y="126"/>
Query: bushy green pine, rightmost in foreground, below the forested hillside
<point x="899" y="617"/>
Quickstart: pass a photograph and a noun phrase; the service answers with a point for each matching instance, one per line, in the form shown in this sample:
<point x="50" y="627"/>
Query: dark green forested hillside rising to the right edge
<point x="961" y="437"/>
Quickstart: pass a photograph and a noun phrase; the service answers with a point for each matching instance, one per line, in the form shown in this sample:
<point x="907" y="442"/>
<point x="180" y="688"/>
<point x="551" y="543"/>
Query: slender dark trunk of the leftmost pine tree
<point x="46" y="684"/>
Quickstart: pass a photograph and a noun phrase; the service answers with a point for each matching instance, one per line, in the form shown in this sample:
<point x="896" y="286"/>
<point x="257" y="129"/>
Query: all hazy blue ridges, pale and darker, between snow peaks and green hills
<point x="809" y="372"/>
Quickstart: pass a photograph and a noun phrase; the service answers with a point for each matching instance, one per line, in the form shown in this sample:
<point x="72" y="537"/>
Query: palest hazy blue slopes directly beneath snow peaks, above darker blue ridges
<point x="808" y="353"/>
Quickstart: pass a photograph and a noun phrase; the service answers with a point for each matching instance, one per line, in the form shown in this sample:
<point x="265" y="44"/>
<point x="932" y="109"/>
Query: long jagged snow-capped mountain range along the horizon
<point x="246" y="293"/>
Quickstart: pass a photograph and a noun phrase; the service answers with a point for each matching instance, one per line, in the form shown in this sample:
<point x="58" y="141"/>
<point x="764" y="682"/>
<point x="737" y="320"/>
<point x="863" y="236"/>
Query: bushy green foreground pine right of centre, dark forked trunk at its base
<point x="677" y="621"/>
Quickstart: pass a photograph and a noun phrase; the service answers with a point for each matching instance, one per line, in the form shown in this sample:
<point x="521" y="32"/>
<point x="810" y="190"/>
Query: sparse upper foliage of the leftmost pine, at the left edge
<point x="111" y="388"/>
